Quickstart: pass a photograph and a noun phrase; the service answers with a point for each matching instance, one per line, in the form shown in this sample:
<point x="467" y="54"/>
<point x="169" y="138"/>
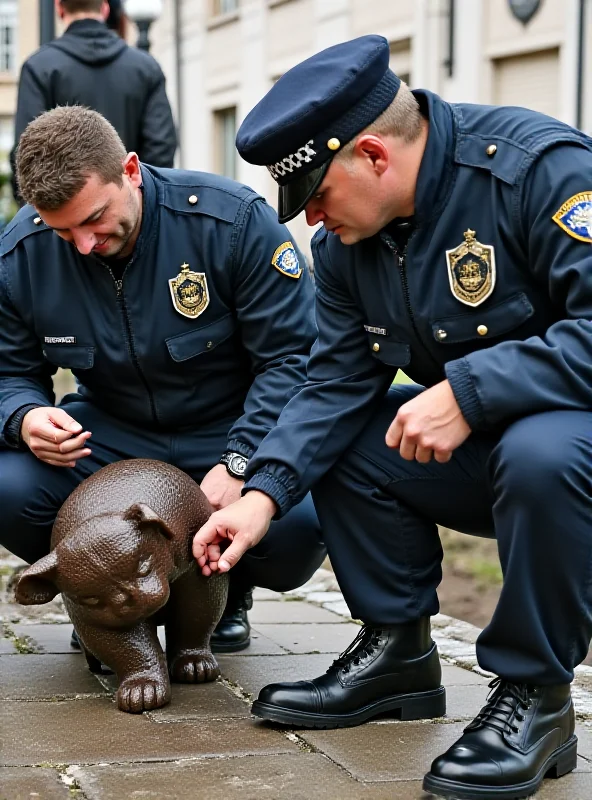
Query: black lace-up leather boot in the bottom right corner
<point x="522" y="734"/>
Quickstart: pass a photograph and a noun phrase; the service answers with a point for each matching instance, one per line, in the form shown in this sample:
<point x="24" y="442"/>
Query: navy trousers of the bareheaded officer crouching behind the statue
<point x="32" y="492"/>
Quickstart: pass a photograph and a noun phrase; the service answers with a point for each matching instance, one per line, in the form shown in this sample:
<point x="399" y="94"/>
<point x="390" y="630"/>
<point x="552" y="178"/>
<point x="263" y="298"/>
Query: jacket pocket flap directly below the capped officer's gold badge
<point x="484" y="323"/>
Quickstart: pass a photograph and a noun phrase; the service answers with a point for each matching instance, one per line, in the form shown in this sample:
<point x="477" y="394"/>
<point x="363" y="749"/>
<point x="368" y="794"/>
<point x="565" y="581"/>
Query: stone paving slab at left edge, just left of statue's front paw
<point x="36" y="677"/>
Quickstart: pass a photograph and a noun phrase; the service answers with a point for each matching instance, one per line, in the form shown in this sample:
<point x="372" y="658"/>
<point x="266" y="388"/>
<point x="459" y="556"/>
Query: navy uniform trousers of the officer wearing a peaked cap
<point x="530" y="487"/>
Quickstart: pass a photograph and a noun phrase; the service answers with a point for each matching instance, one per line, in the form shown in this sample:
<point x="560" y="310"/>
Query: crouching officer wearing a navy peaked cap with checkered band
<point x="456" y="246"/>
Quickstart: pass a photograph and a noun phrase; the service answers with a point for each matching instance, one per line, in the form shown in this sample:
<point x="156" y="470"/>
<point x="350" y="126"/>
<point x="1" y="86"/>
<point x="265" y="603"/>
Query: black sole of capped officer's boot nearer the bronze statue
<point x="420" y="705"/>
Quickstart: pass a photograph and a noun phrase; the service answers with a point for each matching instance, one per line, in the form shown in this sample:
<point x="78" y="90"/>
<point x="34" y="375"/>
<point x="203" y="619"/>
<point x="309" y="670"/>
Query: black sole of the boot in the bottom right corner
<point x="559" y="763"/>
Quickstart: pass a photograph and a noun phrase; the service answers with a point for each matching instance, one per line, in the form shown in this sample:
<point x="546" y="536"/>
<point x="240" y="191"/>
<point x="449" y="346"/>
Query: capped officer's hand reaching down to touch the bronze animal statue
<point x="229" y="533"/>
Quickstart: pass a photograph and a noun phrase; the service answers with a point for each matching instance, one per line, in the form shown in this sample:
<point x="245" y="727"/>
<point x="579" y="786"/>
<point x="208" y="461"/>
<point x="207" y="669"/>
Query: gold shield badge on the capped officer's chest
<point x="471" y="270"/>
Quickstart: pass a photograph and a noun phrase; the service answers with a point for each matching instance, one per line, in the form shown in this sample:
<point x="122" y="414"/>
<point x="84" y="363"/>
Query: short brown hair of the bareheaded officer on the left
<point x="59" y="151"/>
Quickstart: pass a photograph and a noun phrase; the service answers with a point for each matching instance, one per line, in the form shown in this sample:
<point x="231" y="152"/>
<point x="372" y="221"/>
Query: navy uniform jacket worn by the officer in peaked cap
<point x="526" y="348"/>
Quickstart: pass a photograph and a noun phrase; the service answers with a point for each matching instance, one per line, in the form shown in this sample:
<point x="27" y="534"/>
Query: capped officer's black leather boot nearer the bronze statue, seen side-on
<point x="394" y="670"/>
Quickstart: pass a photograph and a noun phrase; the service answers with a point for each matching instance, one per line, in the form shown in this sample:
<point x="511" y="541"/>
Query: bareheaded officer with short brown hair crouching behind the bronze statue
<point x="183" y="309"/>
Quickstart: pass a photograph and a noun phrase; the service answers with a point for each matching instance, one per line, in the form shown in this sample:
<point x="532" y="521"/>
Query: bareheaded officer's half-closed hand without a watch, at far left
<point x="54" y="437"/>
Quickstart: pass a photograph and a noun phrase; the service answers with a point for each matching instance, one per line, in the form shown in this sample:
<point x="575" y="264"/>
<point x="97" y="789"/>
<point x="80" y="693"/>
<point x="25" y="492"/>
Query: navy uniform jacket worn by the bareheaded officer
<point x="134" y="354"/>
